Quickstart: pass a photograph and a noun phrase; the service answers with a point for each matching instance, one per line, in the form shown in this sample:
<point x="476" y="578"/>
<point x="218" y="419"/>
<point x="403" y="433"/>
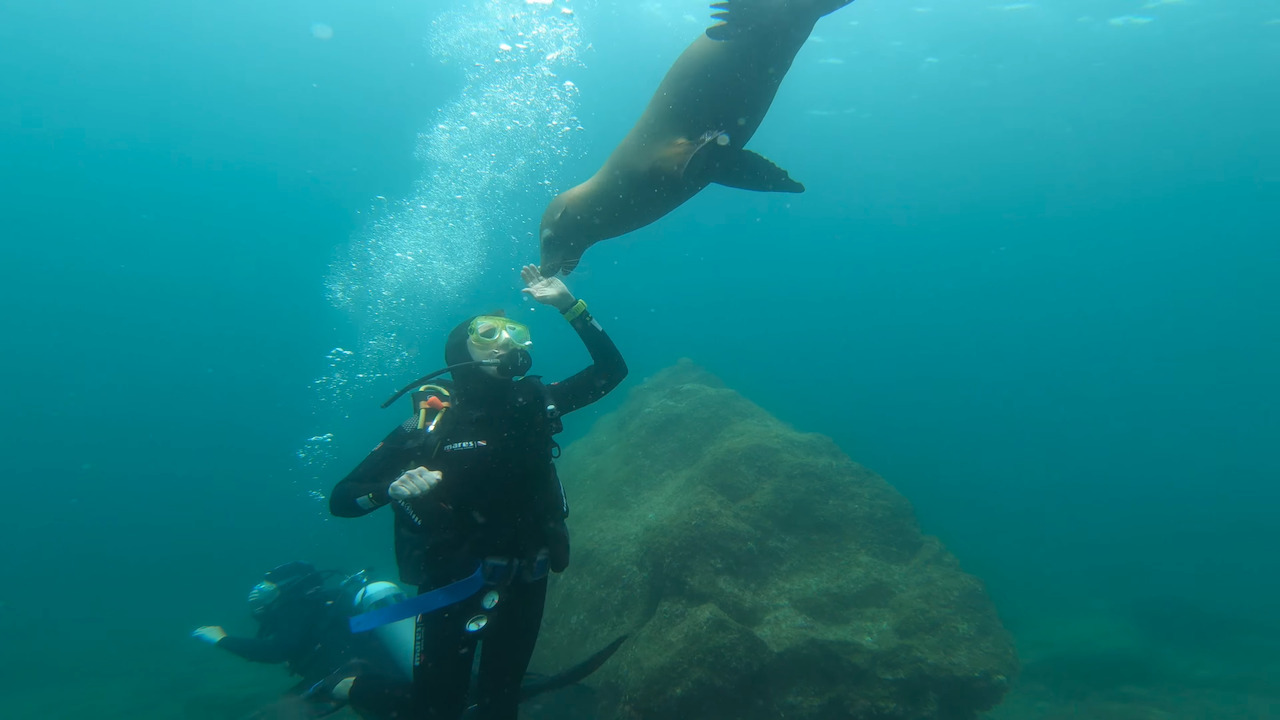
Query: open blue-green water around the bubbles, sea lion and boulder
<point x="1032" y="284"/>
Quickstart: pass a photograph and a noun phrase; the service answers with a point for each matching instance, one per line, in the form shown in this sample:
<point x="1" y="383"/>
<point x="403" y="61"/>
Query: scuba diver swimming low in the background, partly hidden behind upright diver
<point x="307" y="625"/>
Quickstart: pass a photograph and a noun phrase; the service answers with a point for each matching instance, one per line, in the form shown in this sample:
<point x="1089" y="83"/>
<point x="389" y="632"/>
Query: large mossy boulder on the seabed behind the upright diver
<point x="760" y="572"/>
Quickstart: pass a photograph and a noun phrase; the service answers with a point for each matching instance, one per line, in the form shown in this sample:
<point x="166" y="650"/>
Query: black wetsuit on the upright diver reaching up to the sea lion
<point x="499" y="498"/>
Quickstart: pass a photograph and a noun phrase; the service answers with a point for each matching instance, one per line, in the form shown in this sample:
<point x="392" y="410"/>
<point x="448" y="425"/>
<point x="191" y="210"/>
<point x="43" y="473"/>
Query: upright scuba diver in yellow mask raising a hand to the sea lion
<point x="479" y="512"/>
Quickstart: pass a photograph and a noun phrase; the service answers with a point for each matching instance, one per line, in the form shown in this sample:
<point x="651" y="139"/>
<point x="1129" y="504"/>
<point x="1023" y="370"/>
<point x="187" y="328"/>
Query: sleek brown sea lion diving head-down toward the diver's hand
<point x="693" y="133"/>
